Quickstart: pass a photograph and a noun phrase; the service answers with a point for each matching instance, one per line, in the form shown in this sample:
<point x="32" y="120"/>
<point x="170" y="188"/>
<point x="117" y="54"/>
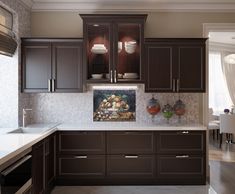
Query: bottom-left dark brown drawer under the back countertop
<point x="82" y="166"/>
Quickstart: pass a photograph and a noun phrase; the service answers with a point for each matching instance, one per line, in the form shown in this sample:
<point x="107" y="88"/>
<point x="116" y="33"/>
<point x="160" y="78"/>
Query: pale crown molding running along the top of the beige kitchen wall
<point x="138" y="6"/>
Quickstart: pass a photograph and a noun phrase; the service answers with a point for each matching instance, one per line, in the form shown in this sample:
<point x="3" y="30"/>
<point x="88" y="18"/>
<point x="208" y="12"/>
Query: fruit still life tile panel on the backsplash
<point x="114" y="105"/>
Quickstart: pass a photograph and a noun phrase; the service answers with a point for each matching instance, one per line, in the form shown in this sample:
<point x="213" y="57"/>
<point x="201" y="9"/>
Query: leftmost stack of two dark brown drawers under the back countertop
<point x="80" y="157"/>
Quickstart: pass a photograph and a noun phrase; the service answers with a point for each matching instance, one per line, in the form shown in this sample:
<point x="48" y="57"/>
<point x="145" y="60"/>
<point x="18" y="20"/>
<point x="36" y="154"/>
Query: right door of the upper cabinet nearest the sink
<point x="68" y="66"/>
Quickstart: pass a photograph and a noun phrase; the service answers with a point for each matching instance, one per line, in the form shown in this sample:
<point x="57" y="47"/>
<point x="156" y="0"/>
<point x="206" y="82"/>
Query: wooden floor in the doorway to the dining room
<point x="222" y="167"/>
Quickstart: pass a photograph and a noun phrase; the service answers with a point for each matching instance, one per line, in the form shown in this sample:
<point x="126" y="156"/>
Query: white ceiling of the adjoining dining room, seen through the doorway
<point x="222" y="37"/>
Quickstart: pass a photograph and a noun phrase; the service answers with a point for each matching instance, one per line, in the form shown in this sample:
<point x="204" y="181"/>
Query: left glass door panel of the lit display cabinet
<point x="98" y="51"/>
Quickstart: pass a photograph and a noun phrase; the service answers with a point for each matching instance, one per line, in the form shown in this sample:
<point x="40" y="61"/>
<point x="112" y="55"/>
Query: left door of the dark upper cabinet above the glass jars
<point x="159" y="68"/>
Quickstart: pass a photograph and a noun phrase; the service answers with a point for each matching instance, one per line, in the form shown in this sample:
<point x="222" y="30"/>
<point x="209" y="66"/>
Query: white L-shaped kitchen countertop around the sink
<point x="12" y="144"/>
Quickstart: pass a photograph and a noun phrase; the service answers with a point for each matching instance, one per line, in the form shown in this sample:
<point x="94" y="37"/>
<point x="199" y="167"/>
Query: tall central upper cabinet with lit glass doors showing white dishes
<point x="112" y="48"/>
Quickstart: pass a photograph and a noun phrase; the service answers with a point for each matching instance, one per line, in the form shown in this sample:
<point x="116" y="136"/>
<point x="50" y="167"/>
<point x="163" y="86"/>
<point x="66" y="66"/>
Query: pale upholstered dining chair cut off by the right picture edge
<point x="227" y="126"/>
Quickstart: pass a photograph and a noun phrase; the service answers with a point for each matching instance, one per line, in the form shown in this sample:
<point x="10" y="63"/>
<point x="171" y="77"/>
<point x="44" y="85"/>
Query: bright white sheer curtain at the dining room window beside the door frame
<point x="219" y="97"/>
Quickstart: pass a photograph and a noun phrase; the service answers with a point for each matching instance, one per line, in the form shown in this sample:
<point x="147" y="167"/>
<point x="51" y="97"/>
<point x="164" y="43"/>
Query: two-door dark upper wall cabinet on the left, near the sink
<point x="52" y="65"/>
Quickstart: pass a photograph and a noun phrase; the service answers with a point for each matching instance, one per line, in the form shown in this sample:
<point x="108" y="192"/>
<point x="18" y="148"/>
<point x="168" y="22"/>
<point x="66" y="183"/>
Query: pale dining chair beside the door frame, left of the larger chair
<point x="213" y="124"/>
